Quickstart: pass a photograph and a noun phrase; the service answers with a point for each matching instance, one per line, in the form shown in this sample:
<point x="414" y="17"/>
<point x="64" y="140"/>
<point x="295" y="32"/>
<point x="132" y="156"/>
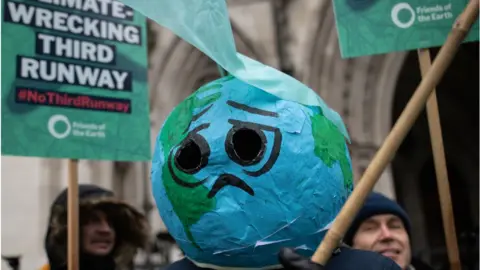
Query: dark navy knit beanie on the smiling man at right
<point x="376" y="204"/>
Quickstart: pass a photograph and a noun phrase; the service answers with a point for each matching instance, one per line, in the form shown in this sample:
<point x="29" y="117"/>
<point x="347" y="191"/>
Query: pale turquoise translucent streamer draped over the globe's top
<point x="205" y="24"/>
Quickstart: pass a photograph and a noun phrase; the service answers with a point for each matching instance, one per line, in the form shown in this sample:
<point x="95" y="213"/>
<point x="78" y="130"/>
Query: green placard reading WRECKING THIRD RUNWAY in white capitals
<point x="74" y="80"/>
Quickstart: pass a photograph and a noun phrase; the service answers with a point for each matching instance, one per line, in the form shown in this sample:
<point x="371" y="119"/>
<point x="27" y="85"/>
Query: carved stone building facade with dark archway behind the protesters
<point x="298" y="37"/>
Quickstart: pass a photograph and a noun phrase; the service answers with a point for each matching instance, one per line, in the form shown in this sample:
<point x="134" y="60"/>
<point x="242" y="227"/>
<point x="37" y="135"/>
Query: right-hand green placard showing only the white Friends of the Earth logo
<point x="367" y="27"/>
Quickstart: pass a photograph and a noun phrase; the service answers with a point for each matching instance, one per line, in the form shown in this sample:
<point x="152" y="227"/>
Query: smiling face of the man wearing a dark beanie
<point x="386" y="235"/>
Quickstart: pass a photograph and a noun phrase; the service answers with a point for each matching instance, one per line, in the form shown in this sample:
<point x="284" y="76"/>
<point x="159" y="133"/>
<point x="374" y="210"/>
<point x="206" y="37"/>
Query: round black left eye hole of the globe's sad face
<point x="192" y="155"/>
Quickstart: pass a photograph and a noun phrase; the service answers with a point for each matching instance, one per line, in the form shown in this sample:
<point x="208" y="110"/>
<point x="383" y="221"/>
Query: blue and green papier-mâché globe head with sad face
<point x="238" y="173"/>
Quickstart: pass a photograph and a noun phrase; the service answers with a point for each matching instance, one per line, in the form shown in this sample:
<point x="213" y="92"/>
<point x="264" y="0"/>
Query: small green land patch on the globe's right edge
<point x="330" y="146"/>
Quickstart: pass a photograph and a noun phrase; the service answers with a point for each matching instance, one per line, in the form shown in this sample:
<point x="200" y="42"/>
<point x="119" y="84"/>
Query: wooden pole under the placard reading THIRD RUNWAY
<point x="73" y="223"/>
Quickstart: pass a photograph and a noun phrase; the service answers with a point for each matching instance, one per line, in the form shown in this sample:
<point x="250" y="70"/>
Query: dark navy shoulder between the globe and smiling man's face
<point x="348" y="258"/>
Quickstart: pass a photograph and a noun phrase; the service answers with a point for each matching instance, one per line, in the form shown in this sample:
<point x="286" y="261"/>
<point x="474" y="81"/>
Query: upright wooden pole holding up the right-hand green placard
<point x="440" y="167"/>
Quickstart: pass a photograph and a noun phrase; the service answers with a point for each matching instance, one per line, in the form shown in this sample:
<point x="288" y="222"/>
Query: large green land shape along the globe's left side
<point x="190" y="204"/>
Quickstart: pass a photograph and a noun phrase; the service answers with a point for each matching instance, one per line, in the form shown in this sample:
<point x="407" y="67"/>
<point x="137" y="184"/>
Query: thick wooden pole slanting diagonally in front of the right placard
<point x="393" y="141"/>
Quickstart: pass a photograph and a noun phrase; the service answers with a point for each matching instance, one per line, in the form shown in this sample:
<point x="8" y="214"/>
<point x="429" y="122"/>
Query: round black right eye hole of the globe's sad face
<point x="245" y="146"/>
